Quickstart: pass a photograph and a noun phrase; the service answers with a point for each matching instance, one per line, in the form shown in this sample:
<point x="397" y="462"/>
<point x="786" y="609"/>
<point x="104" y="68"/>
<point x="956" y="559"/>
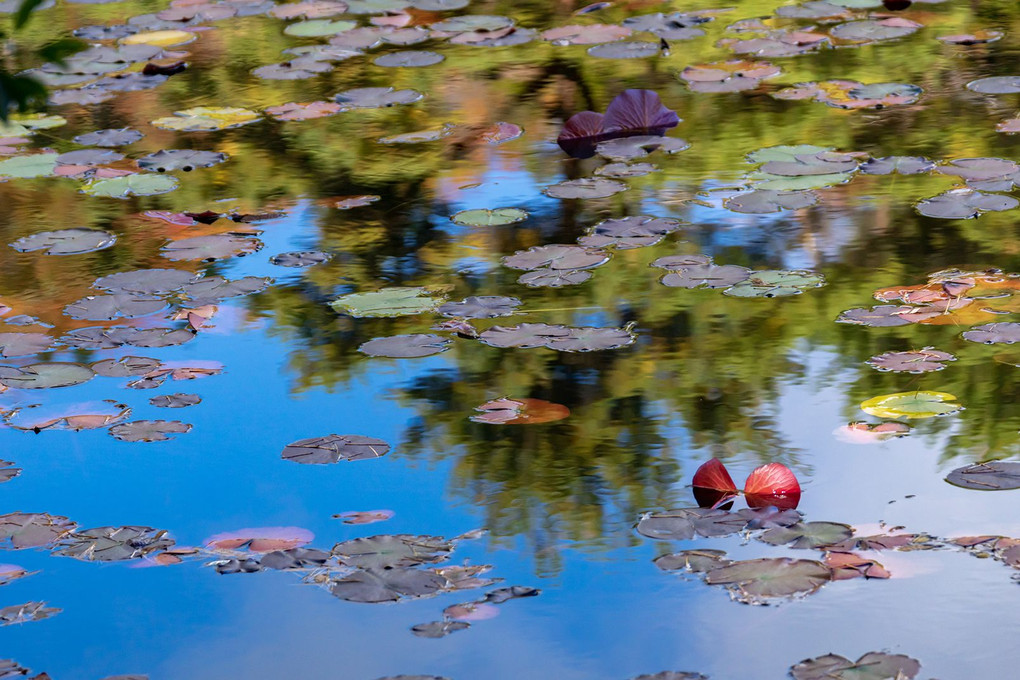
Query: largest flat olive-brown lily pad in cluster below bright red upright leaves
<point x="755" y="582"/>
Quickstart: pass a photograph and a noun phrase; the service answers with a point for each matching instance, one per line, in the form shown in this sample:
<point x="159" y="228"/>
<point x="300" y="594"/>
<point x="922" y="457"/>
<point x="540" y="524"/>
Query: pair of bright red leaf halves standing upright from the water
<point x="773" y="485"/>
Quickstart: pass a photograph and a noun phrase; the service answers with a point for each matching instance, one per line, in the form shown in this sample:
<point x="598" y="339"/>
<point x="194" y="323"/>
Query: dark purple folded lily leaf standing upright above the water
<point x="632" y="113"/>
